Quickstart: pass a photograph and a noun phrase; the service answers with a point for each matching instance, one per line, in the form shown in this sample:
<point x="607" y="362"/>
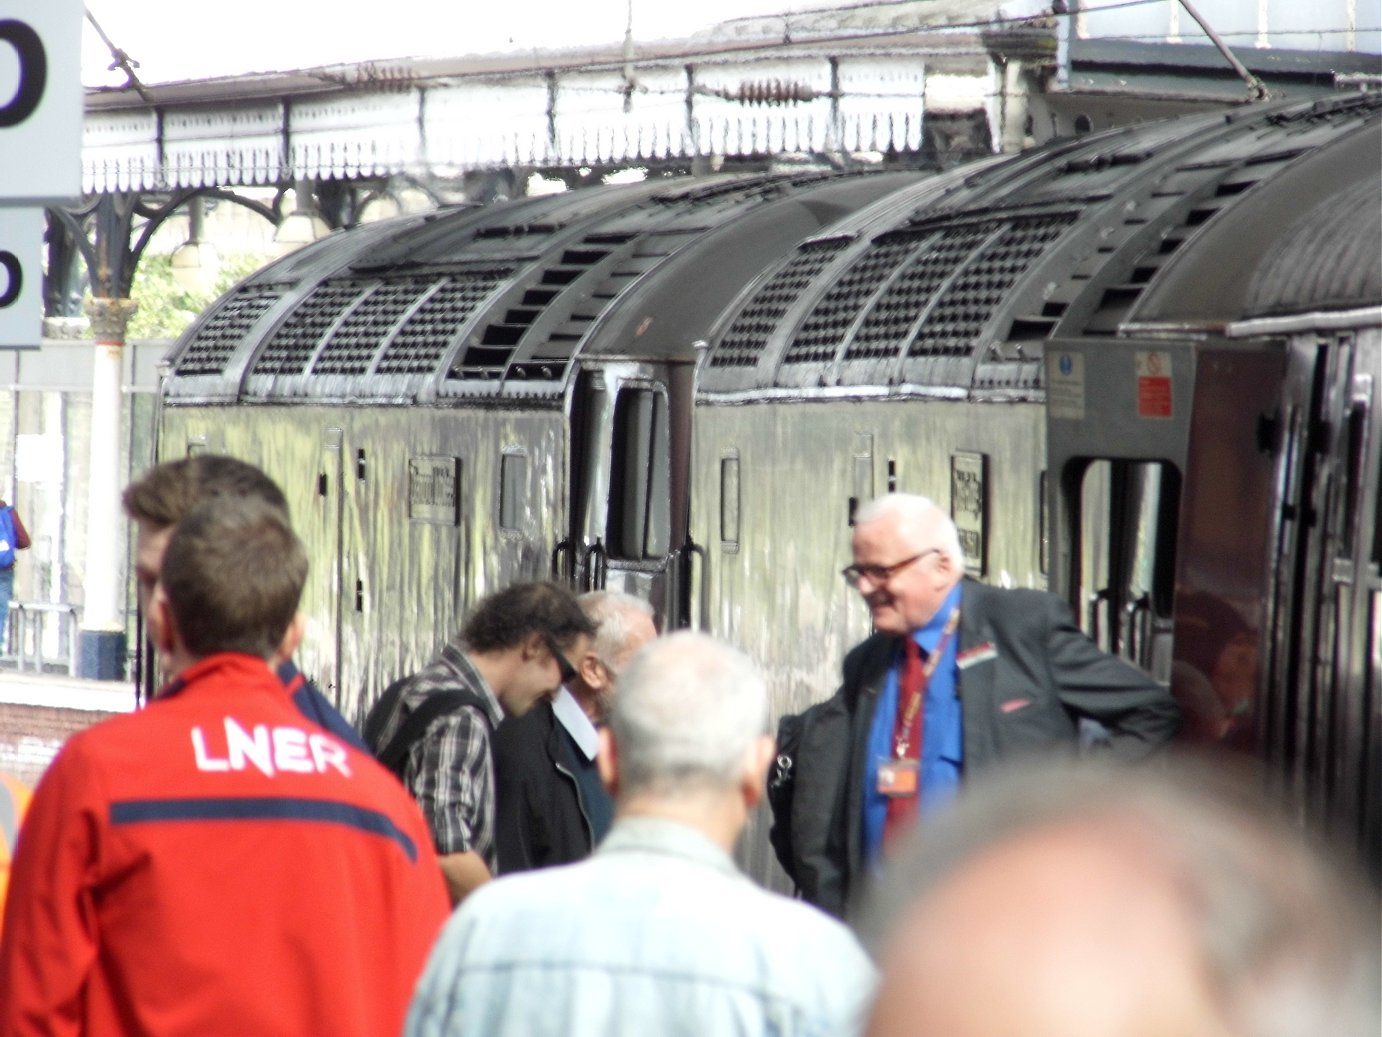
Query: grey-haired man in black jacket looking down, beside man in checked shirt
<point x="549" y="804"/>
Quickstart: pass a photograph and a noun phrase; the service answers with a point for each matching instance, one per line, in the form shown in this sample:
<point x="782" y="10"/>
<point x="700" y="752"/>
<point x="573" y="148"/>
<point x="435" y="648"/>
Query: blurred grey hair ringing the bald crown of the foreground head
<point x="1282" y="934"/>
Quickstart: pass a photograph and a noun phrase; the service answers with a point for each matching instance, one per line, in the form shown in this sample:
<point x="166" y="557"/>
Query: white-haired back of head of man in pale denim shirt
<point x="689" y="711"/>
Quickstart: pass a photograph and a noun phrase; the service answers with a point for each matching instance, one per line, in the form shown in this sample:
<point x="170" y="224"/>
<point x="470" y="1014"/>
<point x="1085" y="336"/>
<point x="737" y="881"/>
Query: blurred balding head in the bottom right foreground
<point x="1079" y="899"/>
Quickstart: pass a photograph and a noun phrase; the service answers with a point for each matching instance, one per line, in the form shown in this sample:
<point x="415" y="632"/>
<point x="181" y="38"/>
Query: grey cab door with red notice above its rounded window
<point x="1119" y="417"/>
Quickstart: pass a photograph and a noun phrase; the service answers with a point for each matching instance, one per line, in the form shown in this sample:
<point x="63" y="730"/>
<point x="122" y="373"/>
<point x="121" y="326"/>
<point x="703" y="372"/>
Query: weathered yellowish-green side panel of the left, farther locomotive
<point x="404" y="580"/>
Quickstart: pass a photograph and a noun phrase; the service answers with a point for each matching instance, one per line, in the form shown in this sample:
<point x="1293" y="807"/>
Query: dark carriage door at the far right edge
<point x="1322" y="717"/>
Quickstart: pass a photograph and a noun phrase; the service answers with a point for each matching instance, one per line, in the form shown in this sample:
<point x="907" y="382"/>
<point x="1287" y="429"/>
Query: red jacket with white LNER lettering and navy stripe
<point x="216" y="865"/>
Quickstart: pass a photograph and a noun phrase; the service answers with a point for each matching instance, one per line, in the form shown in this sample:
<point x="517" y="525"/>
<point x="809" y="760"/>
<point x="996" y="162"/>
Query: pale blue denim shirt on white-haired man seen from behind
<point x="657" y="934"/>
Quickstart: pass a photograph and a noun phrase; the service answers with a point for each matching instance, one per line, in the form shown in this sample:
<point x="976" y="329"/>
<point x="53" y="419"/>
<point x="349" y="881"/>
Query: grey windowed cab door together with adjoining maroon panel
<point x="1162" y="507"/>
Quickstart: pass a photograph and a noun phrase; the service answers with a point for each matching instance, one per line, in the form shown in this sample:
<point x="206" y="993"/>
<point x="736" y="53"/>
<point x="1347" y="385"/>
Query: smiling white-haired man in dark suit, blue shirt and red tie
<point x="957" y="675"/>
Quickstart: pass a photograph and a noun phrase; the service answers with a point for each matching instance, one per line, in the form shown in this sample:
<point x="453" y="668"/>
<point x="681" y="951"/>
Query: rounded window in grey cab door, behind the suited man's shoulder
<point x="1127" y="554"/>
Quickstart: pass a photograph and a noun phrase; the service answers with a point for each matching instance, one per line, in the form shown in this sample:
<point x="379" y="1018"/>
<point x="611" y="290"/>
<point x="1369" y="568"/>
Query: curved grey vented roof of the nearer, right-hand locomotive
<point x="1157" y="225"/>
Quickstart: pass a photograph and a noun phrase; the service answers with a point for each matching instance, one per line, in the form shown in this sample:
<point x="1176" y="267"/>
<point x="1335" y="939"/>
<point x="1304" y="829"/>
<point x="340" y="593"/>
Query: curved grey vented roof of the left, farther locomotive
<point x="495" y="303"/>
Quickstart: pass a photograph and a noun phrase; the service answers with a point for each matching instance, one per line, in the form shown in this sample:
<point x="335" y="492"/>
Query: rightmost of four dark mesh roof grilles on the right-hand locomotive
<point x="982" y="287"/>
